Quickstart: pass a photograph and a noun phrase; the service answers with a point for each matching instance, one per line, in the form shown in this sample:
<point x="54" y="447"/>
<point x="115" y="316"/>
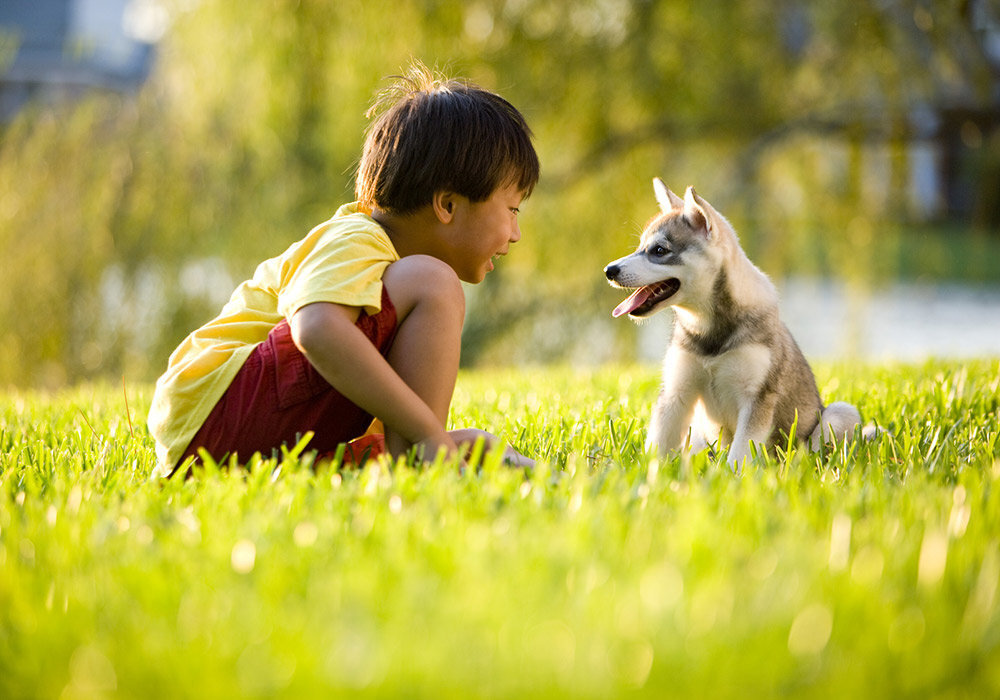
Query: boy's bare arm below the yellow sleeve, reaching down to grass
<point x="325" y="333"/>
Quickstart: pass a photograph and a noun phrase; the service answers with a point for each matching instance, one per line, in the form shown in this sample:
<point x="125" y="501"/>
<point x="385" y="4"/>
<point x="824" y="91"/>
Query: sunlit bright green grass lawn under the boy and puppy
<point x="868" y="572"/>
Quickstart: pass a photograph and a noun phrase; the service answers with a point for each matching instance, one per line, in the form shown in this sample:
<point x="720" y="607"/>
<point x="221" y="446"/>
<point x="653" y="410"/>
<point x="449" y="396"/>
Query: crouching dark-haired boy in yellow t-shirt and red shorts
<point x="362" y="317"/>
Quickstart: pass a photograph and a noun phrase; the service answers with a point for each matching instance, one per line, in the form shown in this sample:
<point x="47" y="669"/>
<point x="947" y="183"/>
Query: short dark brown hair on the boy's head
<point x="437" y="134"/>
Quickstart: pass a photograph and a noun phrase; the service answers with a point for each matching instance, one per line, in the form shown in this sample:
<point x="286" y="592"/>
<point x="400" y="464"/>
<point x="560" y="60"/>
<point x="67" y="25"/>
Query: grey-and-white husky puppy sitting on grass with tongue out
<point x="732" y="371"/>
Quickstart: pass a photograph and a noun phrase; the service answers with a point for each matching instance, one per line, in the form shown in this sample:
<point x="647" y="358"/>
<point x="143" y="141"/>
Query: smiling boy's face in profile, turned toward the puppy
<point x="482" y="231"/>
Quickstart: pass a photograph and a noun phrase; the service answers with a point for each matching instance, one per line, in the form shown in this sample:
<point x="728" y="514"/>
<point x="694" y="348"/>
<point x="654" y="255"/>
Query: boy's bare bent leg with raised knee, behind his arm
<point x="430" y="312"/>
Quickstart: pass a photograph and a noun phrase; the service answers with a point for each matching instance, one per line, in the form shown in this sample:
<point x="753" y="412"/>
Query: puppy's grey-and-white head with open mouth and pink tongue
<point x="676" y="261"/>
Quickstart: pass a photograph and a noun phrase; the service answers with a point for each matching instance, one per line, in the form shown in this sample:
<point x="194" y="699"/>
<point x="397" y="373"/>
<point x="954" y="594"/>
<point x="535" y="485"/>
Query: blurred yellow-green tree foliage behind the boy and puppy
<point x="124" y="223"/>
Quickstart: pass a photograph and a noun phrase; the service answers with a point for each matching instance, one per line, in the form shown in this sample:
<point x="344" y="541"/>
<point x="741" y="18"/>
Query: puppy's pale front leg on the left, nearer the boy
<point x="671" y="419"/>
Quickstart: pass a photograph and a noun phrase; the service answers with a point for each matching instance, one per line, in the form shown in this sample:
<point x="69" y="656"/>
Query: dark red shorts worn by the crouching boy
<point x="278" y="396"/>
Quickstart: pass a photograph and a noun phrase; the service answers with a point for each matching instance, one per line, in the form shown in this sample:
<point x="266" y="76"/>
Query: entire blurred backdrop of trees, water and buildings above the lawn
<point x="152" y="152"/>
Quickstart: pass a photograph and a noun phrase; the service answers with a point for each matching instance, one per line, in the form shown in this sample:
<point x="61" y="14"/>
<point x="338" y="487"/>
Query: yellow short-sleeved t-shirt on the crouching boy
<point x="340" y="261"/>
